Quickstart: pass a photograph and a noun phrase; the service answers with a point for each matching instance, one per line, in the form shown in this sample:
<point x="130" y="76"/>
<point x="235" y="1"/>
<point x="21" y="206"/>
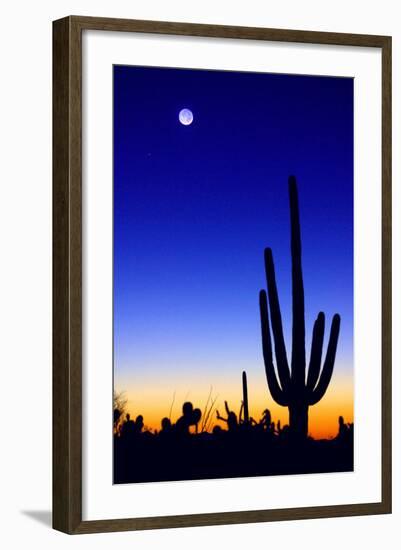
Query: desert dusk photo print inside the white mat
<point x="233" y="265"/>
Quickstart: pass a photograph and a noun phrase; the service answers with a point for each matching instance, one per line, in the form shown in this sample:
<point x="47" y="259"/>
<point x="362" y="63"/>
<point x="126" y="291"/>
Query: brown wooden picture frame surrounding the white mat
<point x="67" y="274"/>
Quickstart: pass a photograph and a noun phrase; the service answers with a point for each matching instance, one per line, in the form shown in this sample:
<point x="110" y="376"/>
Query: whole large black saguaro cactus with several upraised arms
<point x="289" y="387"/>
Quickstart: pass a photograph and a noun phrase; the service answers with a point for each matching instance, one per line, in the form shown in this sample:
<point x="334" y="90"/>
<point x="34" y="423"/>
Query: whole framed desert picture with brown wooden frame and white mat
<point x="222" y="274"/>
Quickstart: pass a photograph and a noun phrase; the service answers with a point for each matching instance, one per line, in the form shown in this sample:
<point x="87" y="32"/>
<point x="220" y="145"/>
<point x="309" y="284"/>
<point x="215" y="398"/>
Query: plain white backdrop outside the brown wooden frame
<point x="25" y="290"/>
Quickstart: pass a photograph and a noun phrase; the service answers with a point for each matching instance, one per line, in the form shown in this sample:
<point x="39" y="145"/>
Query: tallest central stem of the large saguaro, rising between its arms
<point x="298" y="362"/>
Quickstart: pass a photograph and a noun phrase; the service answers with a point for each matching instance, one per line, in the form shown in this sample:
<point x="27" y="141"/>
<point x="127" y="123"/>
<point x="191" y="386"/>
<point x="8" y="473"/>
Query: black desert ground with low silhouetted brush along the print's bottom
<point x="241" y="450"/>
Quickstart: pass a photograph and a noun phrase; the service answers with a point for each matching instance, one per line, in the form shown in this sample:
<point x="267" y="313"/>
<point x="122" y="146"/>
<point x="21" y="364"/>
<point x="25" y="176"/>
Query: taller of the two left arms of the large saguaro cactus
<point x="276" y="322"/>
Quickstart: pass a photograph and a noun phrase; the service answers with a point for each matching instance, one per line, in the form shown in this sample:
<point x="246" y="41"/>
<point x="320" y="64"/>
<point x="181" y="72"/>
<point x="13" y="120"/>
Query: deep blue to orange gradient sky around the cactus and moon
<point x="194" y="208"/>
